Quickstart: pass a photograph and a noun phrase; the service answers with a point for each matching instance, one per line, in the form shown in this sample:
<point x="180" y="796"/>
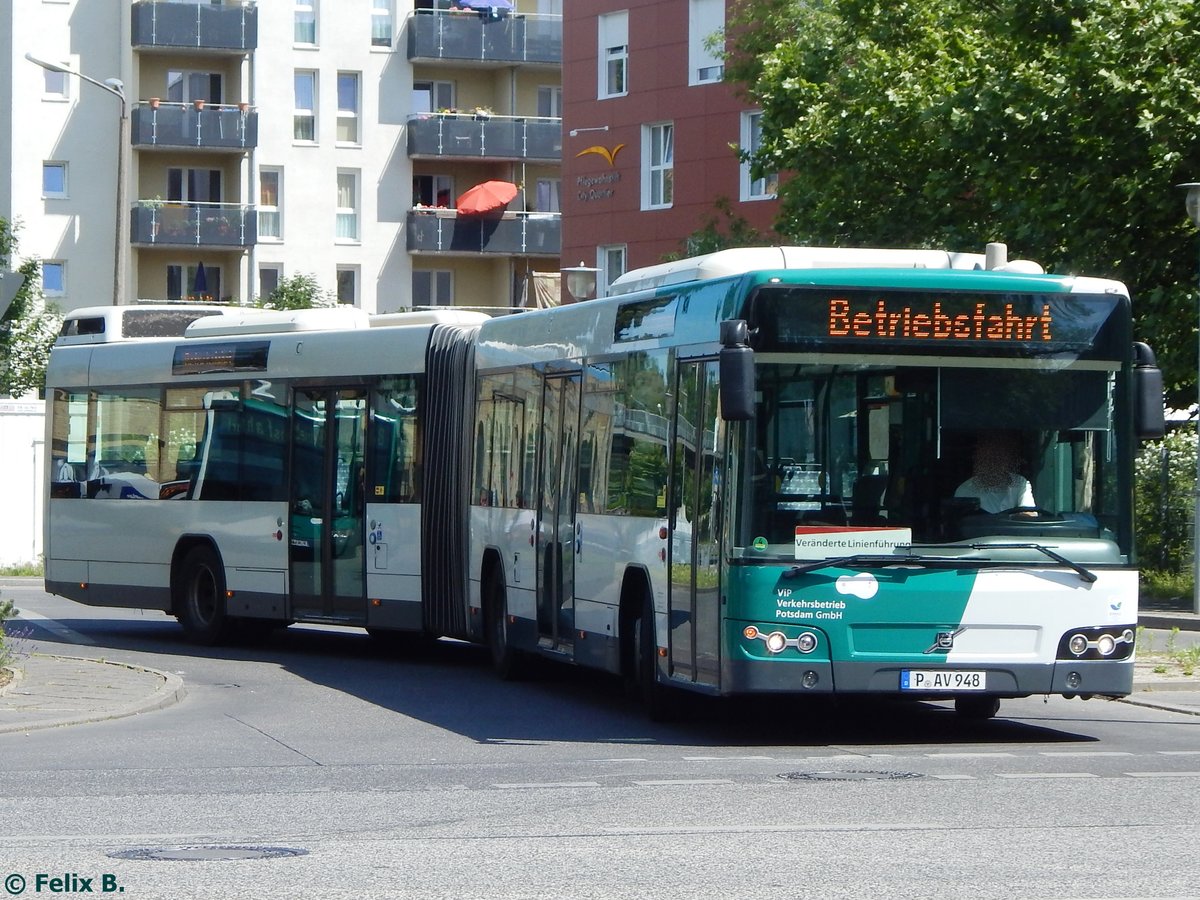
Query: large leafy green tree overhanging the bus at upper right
<point x="1058" y="127"/>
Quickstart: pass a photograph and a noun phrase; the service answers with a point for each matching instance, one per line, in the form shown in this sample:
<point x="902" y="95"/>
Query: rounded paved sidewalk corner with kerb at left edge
<point x="50" y="692"/>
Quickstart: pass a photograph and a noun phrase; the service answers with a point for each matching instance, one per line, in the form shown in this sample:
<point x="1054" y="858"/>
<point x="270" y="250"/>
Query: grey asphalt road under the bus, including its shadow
<point x="317" y="765"/>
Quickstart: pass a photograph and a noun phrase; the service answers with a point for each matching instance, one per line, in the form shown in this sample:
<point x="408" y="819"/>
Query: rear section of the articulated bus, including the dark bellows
<point x="243" y="469"/>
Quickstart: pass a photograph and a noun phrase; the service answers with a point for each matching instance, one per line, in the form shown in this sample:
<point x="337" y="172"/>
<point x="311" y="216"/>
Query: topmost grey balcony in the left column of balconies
<point x="229" y="27"/>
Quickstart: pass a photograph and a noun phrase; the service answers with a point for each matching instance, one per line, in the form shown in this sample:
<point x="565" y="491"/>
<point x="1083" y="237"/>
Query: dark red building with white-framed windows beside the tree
<point x="652" y="133"/>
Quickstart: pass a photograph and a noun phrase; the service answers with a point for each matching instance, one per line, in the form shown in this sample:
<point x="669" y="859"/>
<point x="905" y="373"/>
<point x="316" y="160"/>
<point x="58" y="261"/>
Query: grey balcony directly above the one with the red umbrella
<point x="500" y="137"/>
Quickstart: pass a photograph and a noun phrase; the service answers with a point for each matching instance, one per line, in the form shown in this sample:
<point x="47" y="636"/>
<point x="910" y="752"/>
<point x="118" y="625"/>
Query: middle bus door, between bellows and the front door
<point x="556" y="512"/>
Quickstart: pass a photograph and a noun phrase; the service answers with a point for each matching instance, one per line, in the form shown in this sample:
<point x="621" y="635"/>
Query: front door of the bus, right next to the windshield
<point x="697" y="494"/>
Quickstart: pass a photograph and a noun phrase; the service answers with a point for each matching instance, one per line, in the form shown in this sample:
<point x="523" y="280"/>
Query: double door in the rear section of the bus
<point x="327" y="503"/>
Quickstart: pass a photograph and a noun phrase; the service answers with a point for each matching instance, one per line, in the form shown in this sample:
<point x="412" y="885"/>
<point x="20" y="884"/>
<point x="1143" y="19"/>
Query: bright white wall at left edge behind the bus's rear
<point x="22" y="447"/>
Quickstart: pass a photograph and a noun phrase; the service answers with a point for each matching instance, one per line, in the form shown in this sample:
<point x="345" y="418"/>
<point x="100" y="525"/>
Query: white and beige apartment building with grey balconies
<point x="280" y="139"/>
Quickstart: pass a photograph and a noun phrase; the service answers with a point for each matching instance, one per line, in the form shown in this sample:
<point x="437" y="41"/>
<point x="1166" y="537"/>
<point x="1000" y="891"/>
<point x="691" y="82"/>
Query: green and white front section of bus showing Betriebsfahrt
<point x="746" y="476"/>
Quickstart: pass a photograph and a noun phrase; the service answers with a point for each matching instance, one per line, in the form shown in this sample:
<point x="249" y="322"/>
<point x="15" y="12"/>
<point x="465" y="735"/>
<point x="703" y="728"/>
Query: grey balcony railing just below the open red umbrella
<point x="521" y="235"/>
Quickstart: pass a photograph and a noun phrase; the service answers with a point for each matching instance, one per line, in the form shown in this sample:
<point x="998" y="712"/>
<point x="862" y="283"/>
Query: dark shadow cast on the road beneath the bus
<point x="449" y="685"/>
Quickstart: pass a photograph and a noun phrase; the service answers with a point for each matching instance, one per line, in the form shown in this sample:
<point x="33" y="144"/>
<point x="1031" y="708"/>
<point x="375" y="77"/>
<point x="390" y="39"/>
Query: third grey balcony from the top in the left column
<point x="194" y="225"/>
